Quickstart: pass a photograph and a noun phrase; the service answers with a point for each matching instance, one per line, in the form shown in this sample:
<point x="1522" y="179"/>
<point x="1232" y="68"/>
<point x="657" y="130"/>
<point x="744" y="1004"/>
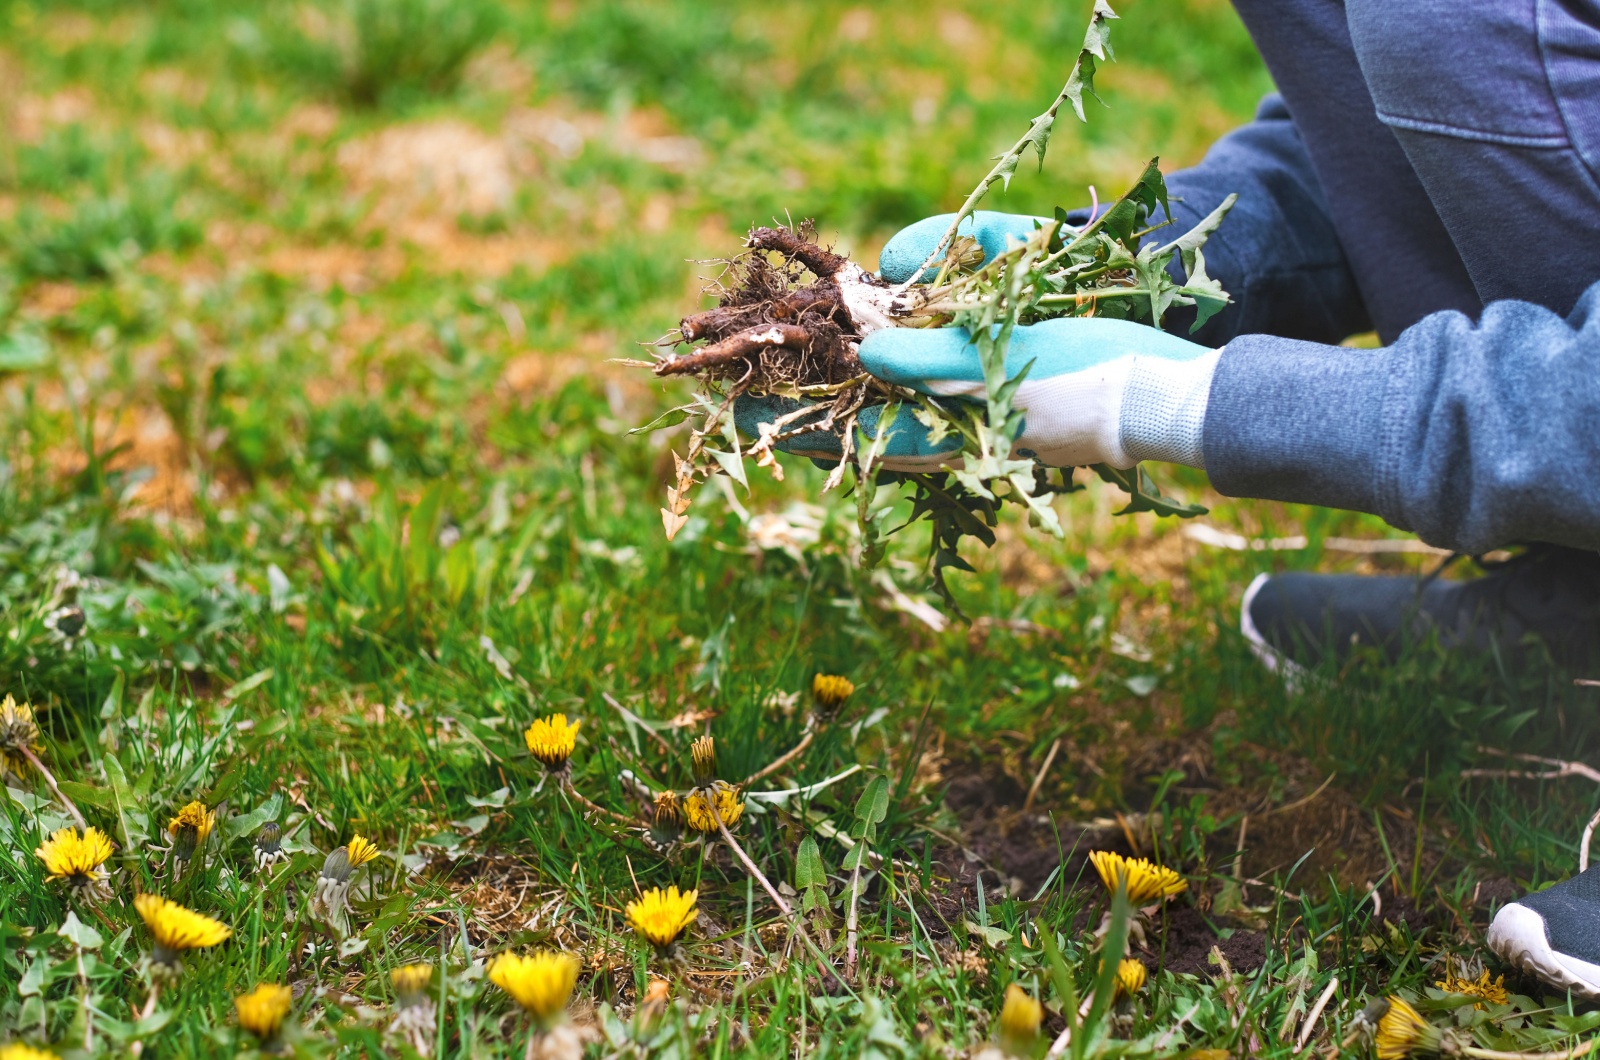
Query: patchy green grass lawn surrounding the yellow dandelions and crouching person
<point x="334" y="460"/>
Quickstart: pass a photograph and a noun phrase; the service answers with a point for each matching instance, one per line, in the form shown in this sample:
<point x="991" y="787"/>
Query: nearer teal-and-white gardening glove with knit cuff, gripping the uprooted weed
<point x="1098" y="391"/>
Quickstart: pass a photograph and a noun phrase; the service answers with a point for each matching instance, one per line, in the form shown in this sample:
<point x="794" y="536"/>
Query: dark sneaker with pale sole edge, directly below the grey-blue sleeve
<point x="1298" y="620"/>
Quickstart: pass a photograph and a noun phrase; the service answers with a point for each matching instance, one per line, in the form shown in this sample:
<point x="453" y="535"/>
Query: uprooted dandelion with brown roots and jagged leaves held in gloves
<point x="791" y="315"/>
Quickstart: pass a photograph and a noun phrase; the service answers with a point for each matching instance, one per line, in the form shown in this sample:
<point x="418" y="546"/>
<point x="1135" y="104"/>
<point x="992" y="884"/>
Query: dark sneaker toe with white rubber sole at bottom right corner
<point x="1554" y="934"/>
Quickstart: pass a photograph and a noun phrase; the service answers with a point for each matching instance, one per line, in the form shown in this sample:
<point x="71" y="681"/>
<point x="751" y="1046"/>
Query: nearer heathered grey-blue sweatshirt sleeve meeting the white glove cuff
<point x="1471" y="435"/>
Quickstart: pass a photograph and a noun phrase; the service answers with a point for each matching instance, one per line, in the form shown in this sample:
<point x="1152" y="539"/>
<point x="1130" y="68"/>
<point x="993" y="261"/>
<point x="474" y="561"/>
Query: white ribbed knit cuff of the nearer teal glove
<point x="1164" y="409"/>
